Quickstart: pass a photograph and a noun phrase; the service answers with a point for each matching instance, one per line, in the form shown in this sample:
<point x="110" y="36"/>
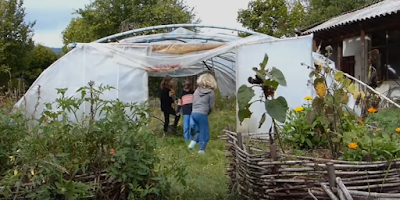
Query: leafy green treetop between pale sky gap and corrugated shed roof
<point x="272" y="17"/>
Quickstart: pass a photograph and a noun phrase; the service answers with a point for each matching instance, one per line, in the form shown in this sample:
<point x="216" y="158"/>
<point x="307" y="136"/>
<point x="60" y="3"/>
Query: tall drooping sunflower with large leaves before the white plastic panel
<point x="268" y="80"/>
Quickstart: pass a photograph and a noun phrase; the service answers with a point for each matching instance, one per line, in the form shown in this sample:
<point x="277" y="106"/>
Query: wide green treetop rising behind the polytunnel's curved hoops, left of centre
<point x="106" y="17"/>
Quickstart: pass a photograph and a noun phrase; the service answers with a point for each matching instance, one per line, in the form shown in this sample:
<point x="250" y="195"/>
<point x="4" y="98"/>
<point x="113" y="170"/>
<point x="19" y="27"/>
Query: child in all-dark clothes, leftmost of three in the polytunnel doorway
<point x="166" y="102"/>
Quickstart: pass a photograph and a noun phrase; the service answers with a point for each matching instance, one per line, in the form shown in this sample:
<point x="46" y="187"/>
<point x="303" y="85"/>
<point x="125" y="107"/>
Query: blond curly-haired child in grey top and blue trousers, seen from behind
<point x="203" y="104"/>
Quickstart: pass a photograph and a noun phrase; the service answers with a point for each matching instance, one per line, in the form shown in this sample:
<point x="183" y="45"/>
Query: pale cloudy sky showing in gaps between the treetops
<point x="52" y="16"/>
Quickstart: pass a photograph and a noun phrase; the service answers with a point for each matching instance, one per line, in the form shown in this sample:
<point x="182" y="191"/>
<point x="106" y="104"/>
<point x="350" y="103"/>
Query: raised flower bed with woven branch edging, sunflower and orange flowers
<point x="358" y="154"/>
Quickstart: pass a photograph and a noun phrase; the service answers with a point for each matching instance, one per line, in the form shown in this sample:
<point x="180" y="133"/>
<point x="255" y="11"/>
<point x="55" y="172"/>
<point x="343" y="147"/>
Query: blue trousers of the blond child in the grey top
<point x="202" y="129"/>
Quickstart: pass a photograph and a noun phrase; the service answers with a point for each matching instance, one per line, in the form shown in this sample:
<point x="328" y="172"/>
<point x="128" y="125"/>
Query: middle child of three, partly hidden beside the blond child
<point x="186" y="104"/>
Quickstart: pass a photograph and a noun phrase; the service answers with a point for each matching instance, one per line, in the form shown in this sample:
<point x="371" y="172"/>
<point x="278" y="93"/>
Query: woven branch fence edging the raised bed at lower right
<point x="269" y="174"/>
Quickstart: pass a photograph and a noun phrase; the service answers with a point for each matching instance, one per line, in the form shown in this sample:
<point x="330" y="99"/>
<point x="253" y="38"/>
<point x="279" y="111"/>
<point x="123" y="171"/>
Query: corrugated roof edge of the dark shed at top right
<point x="383" y="8"/>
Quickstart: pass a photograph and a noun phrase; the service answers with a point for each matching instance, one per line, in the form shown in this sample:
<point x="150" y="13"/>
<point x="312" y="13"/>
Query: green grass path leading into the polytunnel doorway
<point x="205" y="173"/>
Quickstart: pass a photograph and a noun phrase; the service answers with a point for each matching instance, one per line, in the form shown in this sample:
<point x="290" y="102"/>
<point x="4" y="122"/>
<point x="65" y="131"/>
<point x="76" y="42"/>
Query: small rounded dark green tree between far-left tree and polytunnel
<point x="40" y="58"/>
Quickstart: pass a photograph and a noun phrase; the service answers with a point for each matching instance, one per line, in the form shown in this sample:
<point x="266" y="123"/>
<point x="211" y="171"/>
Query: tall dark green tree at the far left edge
<point x="15" y="38"/>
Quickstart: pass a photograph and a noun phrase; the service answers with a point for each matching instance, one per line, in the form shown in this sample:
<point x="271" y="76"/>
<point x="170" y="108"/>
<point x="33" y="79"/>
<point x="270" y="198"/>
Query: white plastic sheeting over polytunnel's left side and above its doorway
<point x="126" y="67"/>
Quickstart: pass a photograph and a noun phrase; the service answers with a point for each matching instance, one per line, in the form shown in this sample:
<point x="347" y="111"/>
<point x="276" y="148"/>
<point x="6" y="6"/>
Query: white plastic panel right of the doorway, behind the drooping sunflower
<point x="285" y="54"/>
